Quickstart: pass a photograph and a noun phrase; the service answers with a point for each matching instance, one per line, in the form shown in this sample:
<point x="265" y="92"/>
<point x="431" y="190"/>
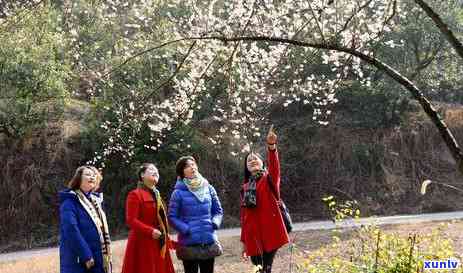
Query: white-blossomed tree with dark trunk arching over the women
<point x="236" y="57"/>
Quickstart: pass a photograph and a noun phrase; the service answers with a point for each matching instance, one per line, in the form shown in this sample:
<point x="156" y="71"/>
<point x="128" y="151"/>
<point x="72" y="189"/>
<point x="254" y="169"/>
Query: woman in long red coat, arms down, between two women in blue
<point x="148" y="244"/>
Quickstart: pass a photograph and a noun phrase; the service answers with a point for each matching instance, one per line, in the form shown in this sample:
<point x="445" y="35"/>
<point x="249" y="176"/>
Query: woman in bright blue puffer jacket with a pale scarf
<point x="195" y="212"/>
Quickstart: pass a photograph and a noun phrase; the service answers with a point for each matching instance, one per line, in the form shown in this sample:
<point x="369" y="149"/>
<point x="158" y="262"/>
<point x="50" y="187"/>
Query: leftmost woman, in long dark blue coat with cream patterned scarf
<point x="84" y="235"/>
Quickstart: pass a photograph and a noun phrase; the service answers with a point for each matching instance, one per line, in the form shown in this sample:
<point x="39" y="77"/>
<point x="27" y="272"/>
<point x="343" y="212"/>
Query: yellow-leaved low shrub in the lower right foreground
<point x="374" y="250"/>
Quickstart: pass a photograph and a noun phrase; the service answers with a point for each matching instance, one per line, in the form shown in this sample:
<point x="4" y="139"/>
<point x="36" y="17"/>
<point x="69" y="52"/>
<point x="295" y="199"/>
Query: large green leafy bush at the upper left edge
<point x="33" y="75"/>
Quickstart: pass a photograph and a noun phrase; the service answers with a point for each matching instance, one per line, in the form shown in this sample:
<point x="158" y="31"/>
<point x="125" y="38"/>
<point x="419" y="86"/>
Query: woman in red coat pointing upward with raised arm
<point x="263" y="231"/>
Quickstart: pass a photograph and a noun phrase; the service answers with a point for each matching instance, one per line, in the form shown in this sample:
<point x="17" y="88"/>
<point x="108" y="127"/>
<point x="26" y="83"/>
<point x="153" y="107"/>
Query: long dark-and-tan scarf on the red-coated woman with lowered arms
<point x="161" y="216"/>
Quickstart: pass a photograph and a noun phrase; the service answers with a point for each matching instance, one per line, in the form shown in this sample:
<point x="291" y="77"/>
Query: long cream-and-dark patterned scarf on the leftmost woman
<point x="93" y="207"/>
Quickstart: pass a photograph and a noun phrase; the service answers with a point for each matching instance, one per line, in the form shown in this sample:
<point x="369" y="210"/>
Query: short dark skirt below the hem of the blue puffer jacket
<point x="199" y="251"/>
